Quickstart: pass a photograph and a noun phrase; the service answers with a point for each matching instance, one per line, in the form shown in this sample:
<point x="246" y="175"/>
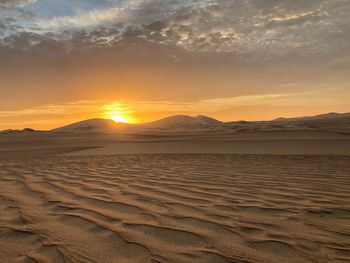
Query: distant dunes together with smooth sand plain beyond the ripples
<point x="321" y="134"/>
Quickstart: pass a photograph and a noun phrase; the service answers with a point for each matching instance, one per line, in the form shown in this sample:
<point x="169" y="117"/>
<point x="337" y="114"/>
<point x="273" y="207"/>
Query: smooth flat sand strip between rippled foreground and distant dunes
<point x="253" y="142"/>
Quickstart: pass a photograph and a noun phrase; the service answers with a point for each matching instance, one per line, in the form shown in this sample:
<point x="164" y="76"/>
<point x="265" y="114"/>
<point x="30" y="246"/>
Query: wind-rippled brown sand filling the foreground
<point x="175" y="208"/>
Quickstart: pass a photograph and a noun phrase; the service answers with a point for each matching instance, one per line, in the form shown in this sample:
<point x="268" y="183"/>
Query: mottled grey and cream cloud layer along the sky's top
<point x="266" y="27"/>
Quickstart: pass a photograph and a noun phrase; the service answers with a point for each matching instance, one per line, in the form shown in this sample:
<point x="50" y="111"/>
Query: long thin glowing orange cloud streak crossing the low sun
<point x="129" y="106"/>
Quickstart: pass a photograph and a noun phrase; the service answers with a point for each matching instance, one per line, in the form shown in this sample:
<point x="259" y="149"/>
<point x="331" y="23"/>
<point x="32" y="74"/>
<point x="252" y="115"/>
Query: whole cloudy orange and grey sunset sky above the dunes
<point x="63" y="61"/>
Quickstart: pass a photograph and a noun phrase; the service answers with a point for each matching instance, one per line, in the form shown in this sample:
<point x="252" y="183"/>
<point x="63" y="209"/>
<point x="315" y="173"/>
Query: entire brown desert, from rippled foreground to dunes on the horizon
<point x="96" y="195"/>
